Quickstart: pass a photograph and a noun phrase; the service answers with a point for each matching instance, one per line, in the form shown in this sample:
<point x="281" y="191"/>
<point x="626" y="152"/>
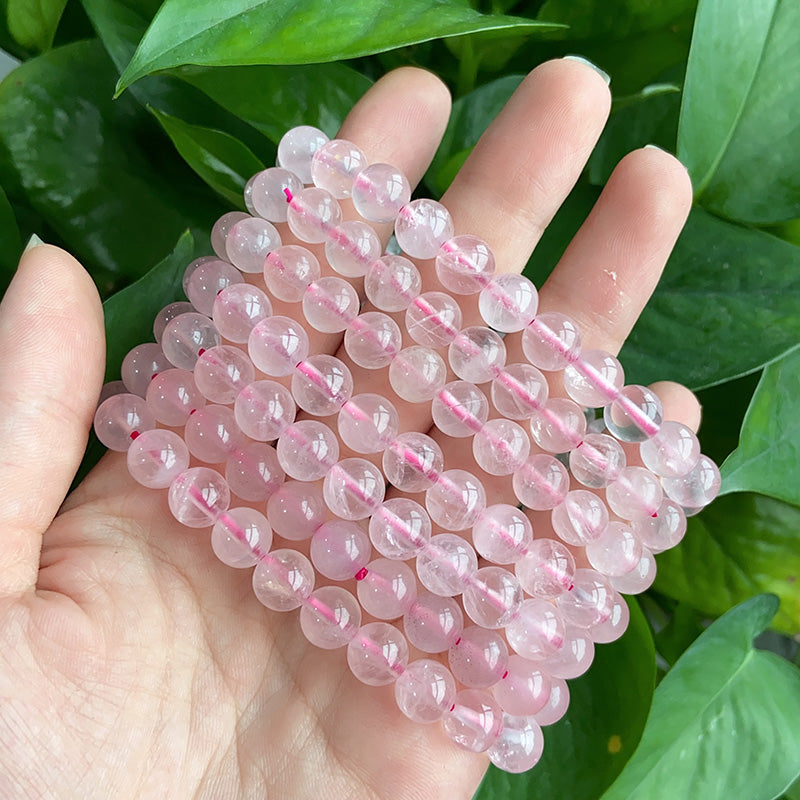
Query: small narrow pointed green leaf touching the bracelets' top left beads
<point x="222" y="161"/>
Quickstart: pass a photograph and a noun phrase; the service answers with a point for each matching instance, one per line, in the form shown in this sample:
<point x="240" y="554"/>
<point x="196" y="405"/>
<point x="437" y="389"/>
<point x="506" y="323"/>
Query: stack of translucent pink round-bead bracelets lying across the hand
<point x="232" y="376"/>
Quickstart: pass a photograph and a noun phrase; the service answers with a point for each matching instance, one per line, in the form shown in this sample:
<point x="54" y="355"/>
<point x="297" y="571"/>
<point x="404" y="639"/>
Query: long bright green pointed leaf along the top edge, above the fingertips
<point x="220" y="32"/>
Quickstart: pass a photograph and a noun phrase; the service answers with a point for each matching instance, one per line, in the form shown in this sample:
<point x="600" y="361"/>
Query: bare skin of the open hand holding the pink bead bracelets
<point x="132" y="663"/>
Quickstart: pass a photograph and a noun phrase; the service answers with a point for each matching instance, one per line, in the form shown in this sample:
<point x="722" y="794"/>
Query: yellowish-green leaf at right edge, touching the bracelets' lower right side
<point x="742" y="544"/>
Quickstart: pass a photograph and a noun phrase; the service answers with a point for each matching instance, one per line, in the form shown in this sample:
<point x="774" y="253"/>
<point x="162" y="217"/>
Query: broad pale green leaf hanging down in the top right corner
<point x="740" y="122"/>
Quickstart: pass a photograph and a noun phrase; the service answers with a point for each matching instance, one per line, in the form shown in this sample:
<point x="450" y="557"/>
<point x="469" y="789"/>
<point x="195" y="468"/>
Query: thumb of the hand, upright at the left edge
<point x="52" y="348"/>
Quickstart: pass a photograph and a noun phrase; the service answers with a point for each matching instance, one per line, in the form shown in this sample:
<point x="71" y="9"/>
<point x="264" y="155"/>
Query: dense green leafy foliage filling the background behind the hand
<point x="684" y="705"/>
